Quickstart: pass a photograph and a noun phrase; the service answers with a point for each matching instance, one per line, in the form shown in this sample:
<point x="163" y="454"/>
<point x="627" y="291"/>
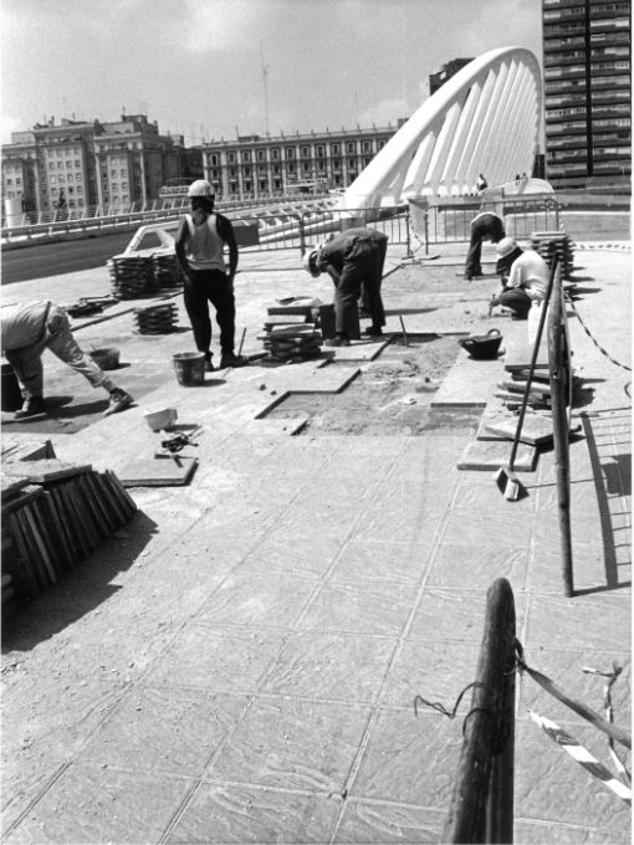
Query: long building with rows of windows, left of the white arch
<point x="256" y="167"/>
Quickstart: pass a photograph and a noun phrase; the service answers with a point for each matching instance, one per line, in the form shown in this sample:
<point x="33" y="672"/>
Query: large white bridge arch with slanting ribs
<point x="485" y="119"/>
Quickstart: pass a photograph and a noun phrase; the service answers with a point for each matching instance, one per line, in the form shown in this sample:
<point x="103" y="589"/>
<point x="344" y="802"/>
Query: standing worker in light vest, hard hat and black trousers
<point x="200" y="242"/>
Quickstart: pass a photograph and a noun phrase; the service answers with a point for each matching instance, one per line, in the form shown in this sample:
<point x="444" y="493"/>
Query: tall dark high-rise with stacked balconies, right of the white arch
<point x="587" y="86"/>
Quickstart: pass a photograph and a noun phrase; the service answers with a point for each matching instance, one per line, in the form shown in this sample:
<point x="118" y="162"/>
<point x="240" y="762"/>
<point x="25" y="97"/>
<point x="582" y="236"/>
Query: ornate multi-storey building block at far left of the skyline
<point x="79" y="165"/>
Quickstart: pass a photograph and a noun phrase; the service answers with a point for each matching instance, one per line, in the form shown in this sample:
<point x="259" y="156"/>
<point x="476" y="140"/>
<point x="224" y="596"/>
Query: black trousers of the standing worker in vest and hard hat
<point x="211" y="286"/>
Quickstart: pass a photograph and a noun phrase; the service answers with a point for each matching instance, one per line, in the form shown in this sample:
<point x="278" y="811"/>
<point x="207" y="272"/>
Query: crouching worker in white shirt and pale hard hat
<point x="525" y="276"/>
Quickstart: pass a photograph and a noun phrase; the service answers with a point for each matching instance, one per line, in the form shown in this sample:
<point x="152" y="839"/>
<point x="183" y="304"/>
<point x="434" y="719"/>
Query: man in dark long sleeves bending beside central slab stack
<point x="352" y="258"/>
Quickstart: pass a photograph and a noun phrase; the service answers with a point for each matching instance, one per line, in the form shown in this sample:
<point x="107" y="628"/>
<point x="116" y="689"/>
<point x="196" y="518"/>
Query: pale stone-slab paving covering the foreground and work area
<point x="239" y="663"/>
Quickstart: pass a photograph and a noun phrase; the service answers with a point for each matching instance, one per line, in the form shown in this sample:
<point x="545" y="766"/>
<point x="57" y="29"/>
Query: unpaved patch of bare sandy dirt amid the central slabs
<point x="391" y="396"/>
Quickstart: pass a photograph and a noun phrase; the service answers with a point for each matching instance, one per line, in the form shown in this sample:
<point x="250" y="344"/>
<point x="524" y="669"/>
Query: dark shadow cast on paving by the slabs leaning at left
<point x="81" y="590"/>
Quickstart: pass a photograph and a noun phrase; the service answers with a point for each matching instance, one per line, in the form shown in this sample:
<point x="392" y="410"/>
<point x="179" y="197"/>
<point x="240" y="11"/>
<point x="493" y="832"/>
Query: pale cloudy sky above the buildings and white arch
<point x="212" y="69"/>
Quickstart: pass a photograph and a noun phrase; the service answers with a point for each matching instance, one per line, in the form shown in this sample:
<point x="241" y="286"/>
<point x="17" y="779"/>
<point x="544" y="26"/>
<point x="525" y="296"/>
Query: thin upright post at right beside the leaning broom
<point x="559" y="381"/>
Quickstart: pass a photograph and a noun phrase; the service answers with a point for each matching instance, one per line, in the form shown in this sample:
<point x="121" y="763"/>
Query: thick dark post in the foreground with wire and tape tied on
<point x="482" y="803"/>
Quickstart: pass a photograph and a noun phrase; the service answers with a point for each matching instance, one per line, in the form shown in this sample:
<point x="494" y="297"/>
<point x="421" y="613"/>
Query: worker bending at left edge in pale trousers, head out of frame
<point x="28" y="329"/>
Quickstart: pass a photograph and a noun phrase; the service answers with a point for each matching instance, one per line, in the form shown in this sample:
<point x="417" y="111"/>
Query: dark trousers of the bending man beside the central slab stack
<point x="363" y="266"/>
